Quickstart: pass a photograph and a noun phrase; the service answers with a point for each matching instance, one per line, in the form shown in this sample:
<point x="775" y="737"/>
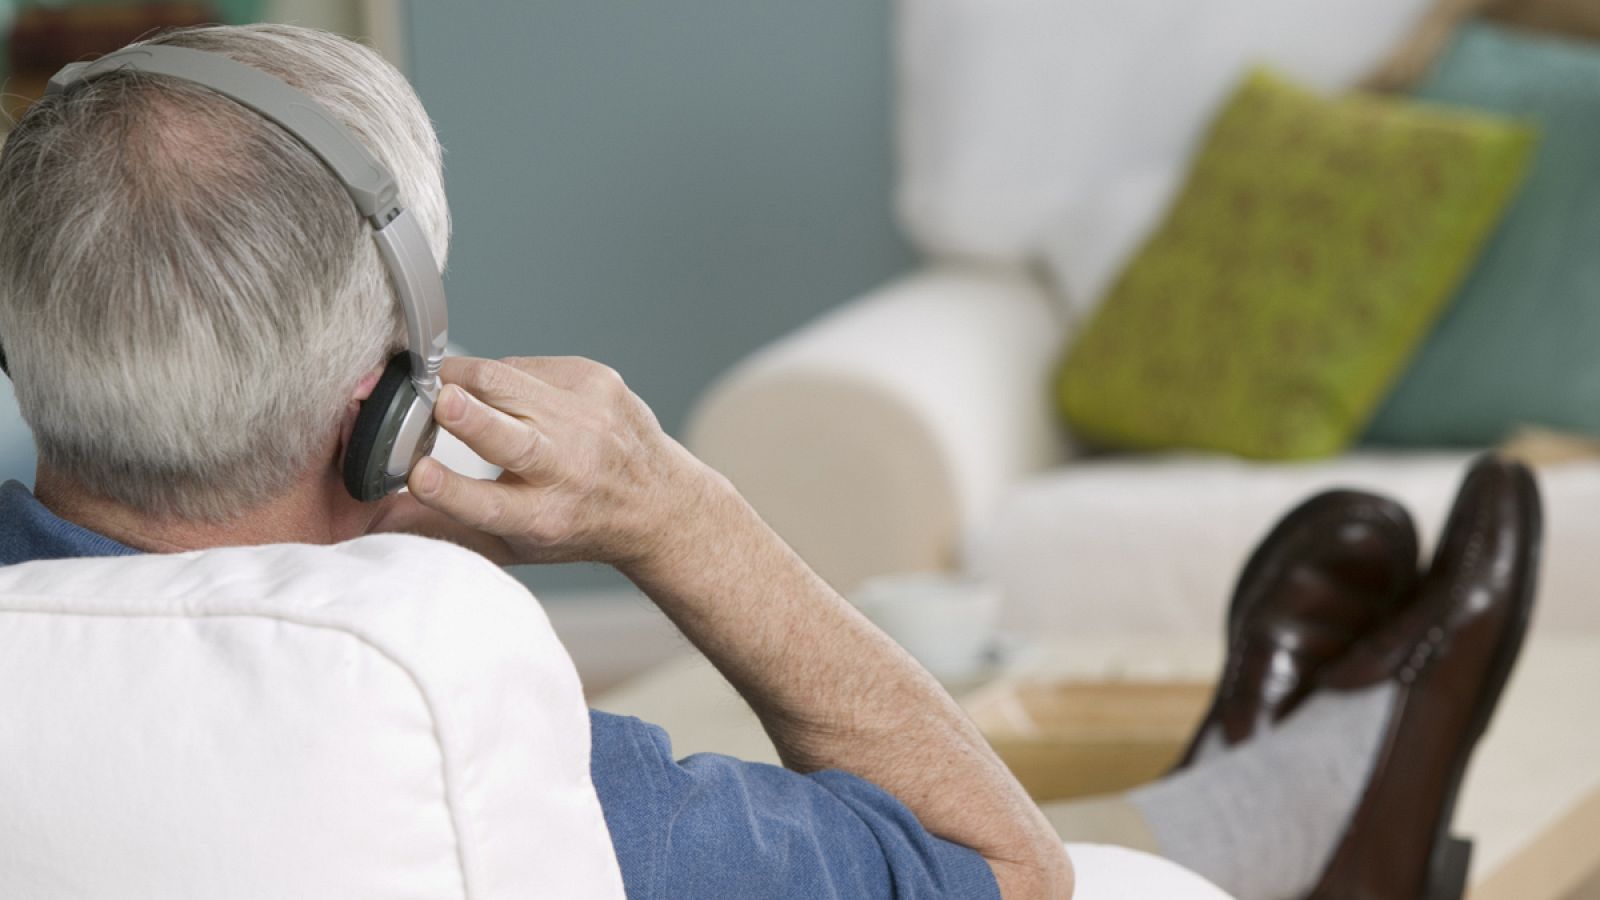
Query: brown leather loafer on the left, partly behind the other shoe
<point x="1322" y="579"/>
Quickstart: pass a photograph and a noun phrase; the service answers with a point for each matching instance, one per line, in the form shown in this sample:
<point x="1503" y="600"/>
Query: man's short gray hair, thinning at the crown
<point x="188" y="297"/>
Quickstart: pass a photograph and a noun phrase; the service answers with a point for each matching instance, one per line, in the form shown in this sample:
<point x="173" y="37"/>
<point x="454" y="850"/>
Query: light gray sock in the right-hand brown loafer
<point x="1262" y="821"/>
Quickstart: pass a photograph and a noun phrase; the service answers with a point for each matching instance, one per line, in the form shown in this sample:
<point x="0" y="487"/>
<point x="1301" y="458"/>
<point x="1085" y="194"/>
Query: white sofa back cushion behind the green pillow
<point x="1022" y="121"/>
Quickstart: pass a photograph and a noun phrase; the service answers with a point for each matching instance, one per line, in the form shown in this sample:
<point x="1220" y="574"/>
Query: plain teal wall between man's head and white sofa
<point x="660" y="185"/>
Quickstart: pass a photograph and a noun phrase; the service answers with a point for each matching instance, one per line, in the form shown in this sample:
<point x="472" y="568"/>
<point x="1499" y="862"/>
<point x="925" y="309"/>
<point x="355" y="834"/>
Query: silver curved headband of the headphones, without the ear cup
<point x="399" y="236"/>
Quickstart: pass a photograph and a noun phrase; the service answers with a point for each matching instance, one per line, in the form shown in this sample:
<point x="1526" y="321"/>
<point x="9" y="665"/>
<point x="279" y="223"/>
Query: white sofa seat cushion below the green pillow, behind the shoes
<point x="1153" y="545"/>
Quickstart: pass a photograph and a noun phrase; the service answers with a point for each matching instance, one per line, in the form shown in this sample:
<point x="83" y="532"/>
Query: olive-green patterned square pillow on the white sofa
<point x="1306" y="259"/>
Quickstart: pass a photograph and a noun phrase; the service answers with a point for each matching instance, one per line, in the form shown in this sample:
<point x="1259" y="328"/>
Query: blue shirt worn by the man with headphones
<point x="705" y="829"/>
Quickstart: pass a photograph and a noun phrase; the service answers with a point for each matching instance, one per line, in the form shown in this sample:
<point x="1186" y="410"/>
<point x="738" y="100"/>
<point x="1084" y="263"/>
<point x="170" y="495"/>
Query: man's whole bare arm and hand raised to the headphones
<point x="590" y="475"/>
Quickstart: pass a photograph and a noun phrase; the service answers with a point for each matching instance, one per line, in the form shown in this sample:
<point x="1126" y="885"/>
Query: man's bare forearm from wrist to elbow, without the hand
<point x="834" y="693"/>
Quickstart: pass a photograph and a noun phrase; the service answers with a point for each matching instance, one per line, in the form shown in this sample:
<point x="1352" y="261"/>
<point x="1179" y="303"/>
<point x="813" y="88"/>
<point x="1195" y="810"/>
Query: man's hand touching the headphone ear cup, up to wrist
<point x="590" y="475"/>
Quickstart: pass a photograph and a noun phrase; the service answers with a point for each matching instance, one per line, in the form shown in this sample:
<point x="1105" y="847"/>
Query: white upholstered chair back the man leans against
<point x="390" y="718"/>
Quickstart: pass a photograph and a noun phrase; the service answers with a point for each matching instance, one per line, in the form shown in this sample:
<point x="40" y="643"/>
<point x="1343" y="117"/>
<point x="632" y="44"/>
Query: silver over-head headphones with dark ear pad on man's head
<point x="396" y="425"/>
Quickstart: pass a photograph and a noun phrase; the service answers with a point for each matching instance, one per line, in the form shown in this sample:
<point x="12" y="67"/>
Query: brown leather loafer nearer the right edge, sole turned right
<point x="1450" y="656"/>
